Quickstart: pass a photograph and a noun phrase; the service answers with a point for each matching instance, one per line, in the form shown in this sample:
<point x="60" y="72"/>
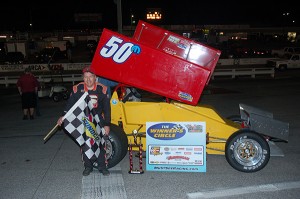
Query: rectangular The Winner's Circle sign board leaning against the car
<point x="176" y="146"/>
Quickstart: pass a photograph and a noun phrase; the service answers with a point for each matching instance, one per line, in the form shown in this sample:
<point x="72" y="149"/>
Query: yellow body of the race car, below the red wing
<point x="133" y="115"/>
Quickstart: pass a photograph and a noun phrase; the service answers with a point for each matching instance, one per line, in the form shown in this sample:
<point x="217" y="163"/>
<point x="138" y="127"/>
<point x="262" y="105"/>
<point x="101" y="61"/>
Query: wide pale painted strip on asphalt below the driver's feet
<point x="97" y="186"/>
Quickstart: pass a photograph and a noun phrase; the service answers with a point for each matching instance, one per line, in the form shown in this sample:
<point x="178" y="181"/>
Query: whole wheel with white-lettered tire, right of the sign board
<point x="247" y="151"/>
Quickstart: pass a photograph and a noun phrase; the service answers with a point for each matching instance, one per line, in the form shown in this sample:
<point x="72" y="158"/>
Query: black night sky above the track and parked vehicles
<point x="56" y="15"/>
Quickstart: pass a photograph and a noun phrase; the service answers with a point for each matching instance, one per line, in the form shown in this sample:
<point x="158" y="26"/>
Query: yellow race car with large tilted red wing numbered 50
<point x="177" y="68"/>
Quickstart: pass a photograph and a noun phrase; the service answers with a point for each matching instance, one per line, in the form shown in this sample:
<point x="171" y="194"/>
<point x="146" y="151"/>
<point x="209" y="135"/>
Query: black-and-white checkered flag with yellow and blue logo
<point x="84" y="125"/>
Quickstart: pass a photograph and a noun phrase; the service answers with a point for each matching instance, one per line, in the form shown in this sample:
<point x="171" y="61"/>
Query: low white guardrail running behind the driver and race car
<point x="74" y="78"/>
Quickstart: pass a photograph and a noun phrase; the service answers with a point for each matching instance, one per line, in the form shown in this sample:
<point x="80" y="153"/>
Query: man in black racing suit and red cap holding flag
<point x="101" y="104"/>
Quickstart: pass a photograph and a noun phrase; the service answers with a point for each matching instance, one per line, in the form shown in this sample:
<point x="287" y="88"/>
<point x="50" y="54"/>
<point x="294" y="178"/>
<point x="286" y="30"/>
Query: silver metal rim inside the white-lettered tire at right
<point x="248" y="152"/>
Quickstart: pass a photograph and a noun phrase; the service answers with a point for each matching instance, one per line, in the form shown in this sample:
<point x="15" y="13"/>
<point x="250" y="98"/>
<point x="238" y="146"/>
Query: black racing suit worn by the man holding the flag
<point x="102" y="106"/>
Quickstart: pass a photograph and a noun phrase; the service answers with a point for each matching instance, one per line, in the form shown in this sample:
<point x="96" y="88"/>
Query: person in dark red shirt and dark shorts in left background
<point x="28" y="87"/>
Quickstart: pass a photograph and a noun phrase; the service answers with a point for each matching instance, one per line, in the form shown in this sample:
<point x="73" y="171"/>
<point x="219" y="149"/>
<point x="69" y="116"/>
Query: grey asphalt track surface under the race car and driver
<point x="32" y="169"/>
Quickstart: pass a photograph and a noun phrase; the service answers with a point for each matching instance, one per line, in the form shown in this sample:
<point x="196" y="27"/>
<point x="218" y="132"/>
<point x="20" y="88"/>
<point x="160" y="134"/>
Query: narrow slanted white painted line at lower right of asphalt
<point x="244" y="190"/>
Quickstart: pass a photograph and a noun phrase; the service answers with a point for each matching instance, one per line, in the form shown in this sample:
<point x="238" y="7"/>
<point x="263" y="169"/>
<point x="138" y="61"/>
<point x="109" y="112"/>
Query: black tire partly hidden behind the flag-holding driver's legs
<point x="116" y="146"/>
